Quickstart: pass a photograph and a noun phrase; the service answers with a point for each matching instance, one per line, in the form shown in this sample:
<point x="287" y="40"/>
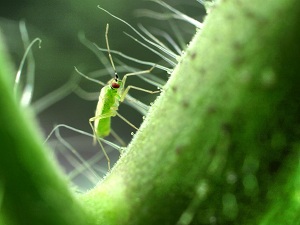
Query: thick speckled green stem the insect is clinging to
<point x="220" y="143"/>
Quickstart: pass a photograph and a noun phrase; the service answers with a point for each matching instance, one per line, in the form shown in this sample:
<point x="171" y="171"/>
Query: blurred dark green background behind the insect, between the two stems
<point x="58" y="24"/>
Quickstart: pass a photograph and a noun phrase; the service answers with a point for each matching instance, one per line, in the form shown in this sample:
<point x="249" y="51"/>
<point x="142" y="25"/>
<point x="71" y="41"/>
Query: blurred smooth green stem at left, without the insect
<point x="32" y="190"/>
